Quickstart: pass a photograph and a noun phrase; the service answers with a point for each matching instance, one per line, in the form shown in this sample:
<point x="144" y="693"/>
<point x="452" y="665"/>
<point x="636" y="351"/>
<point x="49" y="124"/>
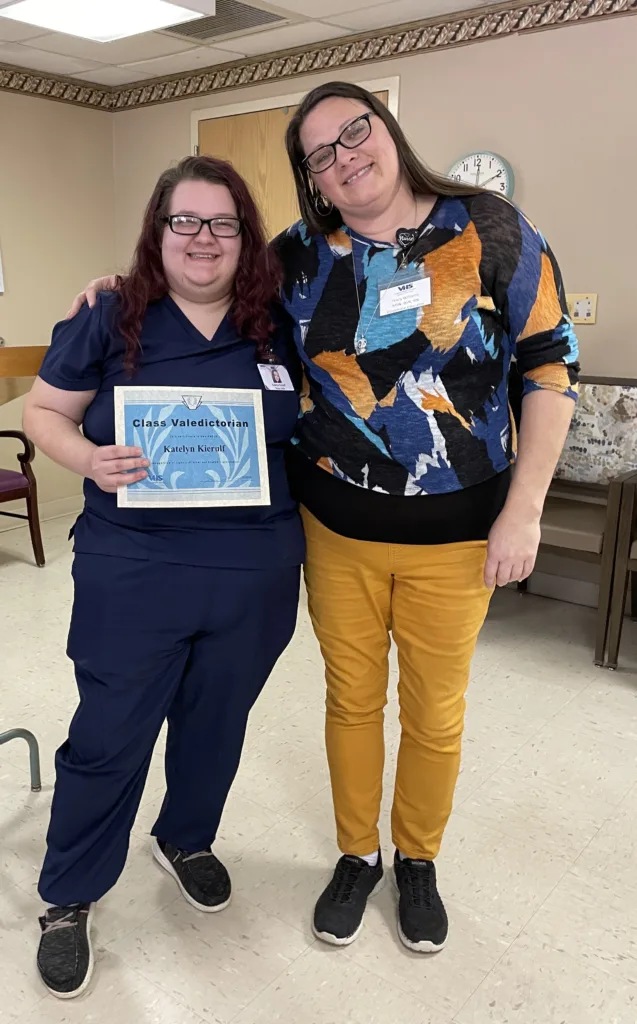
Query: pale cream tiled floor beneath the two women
<point x="539" y="867"/>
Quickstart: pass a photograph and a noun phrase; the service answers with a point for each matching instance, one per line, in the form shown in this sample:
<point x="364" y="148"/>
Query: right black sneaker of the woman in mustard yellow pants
<point x="422" y="919"/>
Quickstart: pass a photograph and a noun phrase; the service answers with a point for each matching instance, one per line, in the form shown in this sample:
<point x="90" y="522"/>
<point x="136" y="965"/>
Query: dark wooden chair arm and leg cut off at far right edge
<point x="625" y="570"/>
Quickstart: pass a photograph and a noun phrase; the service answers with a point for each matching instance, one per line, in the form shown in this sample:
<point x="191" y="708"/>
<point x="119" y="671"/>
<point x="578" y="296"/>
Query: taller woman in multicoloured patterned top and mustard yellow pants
<point x="410" y="296"/>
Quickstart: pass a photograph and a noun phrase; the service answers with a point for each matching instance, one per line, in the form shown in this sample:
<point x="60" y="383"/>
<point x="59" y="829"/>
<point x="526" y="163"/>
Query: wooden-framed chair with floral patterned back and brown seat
<point x="581" y="519"/>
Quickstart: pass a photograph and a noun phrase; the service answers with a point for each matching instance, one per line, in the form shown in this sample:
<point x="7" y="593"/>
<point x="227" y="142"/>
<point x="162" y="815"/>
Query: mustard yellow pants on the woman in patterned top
<point x="433" y="601"/>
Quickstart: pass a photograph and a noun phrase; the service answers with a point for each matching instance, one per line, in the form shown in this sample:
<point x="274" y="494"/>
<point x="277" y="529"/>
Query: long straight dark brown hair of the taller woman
<point x="421" y="181"/>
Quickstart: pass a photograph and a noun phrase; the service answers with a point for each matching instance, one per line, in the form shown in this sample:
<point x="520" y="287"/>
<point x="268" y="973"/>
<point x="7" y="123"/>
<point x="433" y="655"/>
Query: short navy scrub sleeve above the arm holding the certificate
<point x="75" y="360"/>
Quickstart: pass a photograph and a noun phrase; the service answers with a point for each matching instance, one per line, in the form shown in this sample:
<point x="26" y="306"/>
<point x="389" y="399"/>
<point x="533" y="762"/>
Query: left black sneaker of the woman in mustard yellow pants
<point x="338" y="917"/>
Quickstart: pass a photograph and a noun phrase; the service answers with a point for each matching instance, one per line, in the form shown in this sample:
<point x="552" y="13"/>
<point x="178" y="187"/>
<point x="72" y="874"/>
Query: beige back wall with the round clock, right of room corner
<point x="560" y="105"/>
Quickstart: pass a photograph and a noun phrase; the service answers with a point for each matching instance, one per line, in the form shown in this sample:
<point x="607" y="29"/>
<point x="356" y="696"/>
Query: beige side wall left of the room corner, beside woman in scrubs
<point x="56" y="232"/>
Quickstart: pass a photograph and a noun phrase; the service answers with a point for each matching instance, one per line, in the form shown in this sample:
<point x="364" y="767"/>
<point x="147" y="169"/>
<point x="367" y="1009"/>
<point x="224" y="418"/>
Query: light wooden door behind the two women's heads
<point x="256" y="145"/>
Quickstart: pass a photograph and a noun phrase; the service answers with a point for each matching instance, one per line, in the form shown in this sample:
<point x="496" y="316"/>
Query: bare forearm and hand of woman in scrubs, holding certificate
<point x="53" y="418"/>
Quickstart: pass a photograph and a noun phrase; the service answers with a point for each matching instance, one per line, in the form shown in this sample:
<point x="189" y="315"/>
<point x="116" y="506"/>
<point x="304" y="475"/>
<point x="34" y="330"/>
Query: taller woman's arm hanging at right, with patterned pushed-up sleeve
<point x="528" y="288"/>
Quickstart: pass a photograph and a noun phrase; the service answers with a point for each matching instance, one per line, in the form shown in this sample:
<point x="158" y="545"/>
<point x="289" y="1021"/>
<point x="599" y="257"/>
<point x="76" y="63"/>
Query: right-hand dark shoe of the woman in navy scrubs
<point x="202" y="879"/>
